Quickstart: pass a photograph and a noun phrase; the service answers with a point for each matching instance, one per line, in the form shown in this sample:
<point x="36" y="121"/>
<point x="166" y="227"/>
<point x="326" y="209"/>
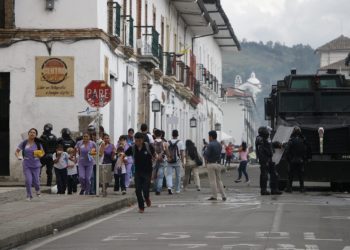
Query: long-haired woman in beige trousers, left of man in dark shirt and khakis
<point x="191" y="156"/>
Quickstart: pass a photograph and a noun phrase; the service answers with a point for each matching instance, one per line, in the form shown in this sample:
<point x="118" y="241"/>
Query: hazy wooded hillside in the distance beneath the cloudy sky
<point x="270" y="62"/>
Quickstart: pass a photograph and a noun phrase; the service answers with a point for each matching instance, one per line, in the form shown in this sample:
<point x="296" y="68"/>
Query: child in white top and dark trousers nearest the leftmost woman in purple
<point x="60" y="159"/>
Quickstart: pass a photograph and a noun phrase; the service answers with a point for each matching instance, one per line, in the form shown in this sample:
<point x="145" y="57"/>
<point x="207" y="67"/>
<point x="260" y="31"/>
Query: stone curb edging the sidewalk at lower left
<point x="45" y="230"/>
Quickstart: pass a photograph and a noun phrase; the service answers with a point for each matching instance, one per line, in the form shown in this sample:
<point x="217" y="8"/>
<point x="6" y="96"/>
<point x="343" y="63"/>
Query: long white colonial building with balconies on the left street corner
<point x="144" y="49"/>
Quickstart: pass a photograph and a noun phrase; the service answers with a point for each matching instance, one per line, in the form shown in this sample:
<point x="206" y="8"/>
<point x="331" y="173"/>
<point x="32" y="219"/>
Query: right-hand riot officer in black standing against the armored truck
<point x="297" y="154"/>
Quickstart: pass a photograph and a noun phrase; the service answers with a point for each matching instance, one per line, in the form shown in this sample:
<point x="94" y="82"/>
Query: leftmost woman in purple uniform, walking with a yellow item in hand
<point x="32" y="151"/>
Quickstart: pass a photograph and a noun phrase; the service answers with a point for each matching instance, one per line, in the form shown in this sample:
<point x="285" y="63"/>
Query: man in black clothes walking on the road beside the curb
<point x="143" y="154"/>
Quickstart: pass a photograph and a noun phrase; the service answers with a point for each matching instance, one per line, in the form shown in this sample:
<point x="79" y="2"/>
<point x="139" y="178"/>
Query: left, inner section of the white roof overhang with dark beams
<point x="195" y="16"/>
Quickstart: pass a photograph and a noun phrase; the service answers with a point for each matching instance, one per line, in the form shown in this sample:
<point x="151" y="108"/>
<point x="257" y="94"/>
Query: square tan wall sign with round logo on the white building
<point x="54" y="76"/>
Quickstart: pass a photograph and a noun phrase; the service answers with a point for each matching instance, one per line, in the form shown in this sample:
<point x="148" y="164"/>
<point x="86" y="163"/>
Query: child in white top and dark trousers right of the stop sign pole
<point x="120" y="171"/>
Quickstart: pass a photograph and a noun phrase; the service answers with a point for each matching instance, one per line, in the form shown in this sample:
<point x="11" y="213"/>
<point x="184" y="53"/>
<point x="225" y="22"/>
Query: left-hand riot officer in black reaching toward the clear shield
<point x="264" y="149"/>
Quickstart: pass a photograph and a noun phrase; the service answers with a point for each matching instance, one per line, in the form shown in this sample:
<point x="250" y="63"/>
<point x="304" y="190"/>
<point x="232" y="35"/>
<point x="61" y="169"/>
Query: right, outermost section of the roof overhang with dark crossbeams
<point x="226" y="37"/>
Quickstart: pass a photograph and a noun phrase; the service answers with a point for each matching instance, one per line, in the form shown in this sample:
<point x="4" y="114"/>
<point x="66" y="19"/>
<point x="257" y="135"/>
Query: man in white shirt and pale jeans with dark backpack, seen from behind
<point x="176" y="149"/>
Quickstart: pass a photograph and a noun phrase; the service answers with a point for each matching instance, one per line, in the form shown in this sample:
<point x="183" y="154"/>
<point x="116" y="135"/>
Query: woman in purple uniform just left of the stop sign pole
<point x="86" y="149"/>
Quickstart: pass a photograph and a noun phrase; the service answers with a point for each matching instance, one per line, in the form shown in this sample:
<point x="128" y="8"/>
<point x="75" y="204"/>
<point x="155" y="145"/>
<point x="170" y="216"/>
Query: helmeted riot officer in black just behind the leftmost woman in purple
<point x="49" y="141"/>
